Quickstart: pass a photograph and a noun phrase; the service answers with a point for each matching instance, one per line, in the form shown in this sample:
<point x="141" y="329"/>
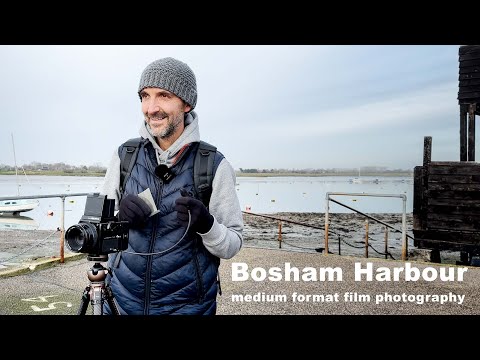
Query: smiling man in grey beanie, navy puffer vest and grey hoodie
<point x="167" y="269"/>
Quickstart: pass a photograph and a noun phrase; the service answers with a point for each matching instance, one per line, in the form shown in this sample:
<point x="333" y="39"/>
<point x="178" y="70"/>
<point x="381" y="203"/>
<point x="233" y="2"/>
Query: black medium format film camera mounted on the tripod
<point x="98" y="232"/>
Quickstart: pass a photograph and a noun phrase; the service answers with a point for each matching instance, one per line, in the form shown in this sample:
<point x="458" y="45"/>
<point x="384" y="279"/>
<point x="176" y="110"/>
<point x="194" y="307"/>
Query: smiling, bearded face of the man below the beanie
<point x="164" y="112"/>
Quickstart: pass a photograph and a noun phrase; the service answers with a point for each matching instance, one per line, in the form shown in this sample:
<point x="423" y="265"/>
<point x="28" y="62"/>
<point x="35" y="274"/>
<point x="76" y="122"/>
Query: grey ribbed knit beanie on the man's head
<point x="172" y="75"/>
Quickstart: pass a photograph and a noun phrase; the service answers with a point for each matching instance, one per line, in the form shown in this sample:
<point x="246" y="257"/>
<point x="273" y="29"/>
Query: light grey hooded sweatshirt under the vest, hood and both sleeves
<point x="225" y="237"/>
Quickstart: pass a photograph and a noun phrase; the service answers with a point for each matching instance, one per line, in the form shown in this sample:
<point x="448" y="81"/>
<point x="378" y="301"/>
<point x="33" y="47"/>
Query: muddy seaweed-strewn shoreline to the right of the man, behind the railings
<point x="347" y="234"/>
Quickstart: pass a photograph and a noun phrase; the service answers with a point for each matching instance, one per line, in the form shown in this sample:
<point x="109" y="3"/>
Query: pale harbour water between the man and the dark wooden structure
<point x="307" y="194"/>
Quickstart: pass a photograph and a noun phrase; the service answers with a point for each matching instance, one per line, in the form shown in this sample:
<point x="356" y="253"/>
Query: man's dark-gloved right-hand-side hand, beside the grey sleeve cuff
<point x="201" y="220"/>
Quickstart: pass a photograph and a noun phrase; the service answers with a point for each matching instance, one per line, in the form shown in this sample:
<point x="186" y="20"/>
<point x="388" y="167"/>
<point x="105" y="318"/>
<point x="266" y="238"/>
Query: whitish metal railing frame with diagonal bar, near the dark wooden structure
<point x="404" y="217"/>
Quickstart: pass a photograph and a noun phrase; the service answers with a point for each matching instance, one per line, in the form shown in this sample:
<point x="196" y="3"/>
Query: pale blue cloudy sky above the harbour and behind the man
<point x="263" y="106"/>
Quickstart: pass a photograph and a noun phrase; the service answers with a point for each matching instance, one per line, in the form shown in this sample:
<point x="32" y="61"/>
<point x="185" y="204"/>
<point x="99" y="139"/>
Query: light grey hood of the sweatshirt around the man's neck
<point x="190" y="134"/>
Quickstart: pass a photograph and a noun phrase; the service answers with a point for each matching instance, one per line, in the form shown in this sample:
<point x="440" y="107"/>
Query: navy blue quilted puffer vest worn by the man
<point x="182" y="279"/>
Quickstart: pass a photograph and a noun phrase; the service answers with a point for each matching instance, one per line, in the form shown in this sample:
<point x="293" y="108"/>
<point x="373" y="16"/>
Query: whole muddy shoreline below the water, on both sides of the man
<point x="346" y="238"/>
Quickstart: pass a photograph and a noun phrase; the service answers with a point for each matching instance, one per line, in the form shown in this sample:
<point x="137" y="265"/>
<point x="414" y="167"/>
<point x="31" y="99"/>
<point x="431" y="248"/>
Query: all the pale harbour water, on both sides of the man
<point x="258" y="195"/>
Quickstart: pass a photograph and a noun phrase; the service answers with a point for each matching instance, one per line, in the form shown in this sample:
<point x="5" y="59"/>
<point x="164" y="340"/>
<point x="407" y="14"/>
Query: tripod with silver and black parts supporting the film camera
<point x="97" y="292"/>
